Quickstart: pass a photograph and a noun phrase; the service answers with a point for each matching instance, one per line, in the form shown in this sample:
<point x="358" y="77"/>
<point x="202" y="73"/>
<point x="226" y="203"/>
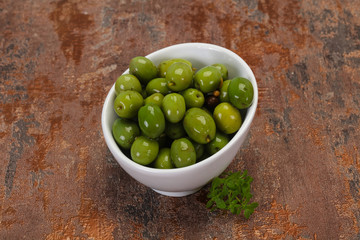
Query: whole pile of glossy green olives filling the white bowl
<point x="172" y="115"/>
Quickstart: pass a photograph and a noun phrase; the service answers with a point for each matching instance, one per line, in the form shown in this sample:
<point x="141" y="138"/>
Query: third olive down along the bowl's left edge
<point x="127" y="104"/>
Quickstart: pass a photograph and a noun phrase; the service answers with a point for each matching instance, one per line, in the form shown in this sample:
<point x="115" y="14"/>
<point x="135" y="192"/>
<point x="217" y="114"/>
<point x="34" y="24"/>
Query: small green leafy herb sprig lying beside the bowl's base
<point x="231" y="191"/>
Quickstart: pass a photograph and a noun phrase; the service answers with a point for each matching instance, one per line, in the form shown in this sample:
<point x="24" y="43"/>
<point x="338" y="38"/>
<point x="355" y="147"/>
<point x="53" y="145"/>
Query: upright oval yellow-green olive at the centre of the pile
<point x="173" y="107"/>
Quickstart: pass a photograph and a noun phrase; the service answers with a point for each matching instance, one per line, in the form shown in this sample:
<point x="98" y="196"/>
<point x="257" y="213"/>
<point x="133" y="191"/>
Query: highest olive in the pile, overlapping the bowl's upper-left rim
<point x="143" y="68"/>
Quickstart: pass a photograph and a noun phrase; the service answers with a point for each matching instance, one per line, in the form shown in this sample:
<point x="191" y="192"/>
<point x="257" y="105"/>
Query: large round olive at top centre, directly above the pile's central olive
<point x="179" y="76"/>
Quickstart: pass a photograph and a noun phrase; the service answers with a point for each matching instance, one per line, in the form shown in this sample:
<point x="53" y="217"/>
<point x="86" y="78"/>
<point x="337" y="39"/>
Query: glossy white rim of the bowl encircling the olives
<point x="115" y="149"/>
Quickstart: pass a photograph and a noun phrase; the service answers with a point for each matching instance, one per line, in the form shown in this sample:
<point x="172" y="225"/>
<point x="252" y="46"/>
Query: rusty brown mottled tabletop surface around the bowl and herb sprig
<point x="58" y="59"/>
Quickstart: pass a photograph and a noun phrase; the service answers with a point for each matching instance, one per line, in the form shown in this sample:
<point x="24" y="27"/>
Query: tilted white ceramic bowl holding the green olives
<point x="184" y="181"/>
